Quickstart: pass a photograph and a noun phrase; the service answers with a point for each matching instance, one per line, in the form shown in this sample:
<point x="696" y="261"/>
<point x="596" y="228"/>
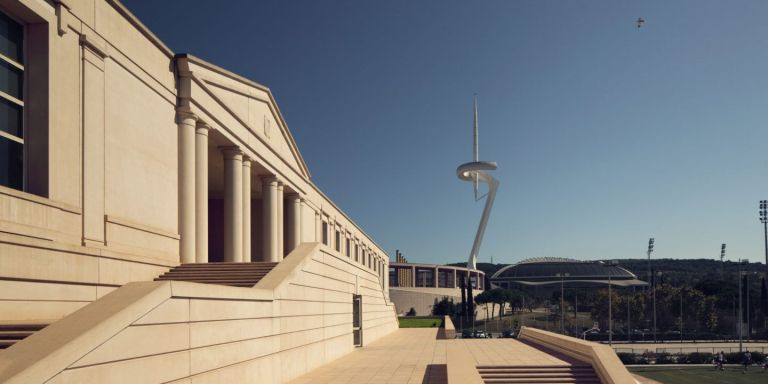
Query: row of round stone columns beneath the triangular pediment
<point x="194" y="199"/>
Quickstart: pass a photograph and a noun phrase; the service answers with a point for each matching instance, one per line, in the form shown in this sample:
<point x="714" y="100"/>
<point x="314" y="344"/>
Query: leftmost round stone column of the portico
<point x="186" y="125"/>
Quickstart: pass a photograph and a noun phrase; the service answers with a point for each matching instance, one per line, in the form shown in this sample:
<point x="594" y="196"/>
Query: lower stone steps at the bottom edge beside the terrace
<point x="548" y="374"/>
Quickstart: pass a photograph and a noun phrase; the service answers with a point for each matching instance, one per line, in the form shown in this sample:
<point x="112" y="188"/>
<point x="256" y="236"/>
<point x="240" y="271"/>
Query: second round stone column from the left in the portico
<point x="201" y="192"/>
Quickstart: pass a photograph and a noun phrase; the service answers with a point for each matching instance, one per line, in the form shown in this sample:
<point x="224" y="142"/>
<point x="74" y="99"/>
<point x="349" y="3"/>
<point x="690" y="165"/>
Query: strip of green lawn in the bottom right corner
<point x="702" y="375"/>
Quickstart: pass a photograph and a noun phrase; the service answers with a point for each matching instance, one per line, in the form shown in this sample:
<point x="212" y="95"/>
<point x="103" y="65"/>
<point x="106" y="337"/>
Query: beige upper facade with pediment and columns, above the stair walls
<point x="152" y="159"/>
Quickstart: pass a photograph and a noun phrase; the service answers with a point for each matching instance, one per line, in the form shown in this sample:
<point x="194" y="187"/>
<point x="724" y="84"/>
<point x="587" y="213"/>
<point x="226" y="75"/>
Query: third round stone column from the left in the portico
<point x="233" y="204"/>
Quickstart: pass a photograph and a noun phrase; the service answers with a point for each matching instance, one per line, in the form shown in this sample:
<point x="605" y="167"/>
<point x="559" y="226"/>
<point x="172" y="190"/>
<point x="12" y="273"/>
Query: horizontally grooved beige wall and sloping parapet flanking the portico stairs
<point x="297" y="318"/>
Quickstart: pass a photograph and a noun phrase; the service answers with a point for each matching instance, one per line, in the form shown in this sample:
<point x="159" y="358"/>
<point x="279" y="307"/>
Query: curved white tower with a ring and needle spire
<point x="477" y="171"/>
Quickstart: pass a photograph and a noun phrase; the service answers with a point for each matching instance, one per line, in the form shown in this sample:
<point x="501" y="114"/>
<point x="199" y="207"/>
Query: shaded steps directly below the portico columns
<point x="233" y="274"/>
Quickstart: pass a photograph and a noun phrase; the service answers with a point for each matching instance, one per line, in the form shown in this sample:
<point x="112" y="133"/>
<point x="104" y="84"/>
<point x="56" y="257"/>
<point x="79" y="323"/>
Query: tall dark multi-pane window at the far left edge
<point x="11" y="103"/>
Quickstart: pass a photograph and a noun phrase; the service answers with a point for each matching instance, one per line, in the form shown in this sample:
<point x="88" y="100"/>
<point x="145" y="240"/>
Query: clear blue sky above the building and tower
<point x="605" y="134"/>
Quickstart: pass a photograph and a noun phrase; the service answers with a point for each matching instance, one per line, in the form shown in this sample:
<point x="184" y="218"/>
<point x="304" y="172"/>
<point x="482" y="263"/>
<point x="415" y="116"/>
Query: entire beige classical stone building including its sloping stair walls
<point x="121" y="160"/>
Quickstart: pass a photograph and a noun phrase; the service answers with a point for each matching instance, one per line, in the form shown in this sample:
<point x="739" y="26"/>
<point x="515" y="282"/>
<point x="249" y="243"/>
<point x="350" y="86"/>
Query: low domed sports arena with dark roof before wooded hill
<point x="555" y="270"/>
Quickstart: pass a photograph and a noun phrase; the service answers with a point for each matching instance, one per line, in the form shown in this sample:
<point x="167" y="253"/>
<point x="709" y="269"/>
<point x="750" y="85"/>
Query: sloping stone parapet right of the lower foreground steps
<point x="602" y="358"/>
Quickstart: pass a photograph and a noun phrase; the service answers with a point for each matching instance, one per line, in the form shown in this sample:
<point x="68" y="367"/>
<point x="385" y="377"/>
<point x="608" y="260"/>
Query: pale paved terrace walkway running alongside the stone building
<point x="415" y="356"/>
